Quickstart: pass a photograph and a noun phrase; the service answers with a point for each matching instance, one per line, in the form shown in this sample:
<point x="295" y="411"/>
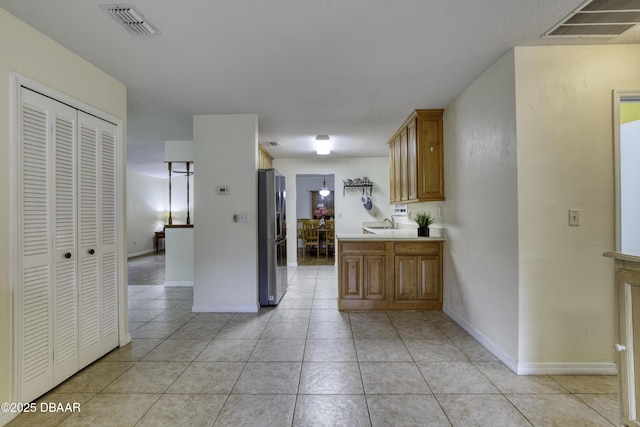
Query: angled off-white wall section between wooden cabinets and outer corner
<point x="481" y="212"/>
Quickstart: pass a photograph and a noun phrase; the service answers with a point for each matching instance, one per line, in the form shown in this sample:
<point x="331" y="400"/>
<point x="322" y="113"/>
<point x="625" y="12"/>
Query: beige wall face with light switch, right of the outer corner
<point x="565" y="160"/>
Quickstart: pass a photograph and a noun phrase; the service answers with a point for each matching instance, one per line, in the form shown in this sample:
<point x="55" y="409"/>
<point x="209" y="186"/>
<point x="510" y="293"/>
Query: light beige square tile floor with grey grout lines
<point x="306" y="364"/>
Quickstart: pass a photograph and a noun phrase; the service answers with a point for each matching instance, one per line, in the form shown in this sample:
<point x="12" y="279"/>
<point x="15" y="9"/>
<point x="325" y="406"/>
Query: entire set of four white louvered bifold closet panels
<point x="68" y="312"/>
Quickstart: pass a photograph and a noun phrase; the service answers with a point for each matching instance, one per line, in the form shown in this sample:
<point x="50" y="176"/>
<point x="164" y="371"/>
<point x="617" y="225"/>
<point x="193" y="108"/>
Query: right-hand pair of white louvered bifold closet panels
<point x="97" y="251"/>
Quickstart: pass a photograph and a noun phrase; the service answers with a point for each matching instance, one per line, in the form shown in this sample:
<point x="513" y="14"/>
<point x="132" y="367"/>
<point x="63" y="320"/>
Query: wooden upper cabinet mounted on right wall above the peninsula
<point x="416" y="159"/>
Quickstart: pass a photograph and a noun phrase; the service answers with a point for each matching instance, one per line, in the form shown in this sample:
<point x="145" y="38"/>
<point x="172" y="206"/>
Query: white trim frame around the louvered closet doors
<point x="18" y="81"/>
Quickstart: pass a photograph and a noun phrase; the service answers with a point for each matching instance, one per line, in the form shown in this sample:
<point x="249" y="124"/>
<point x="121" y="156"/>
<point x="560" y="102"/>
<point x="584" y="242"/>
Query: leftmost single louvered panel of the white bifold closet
<point x="35" y="294"/>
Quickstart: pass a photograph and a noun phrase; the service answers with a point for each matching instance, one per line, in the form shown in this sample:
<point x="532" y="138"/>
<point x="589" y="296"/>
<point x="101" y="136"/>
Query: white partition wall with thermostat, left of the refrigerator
<point x="226" y="252"/>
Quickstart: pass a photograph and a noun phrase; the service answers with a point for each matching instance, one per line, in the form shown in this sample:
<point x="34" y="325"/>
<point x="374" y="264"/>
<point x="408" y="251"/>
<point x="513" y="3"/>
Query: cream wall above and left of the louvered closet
<point x="33" y="55"/>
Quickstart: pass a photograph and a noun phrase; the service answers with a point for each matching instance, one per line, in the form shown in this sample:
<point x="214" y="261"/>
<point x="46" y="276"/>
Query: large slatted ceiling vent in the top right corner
<point x="598" y="18"/>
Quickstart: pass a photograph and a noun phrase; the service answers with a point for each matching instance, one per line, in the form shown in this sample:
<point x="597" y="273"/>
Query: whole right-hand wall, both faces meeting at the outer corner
<point x="527" y="141"/>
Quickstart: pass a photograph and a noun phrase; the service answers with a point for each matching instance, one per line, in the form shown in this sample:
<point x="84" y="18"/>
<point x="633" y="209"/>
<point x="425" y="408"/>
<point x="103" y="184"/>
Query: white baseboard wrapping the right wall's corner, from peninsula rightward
<point x="576" y="368"/>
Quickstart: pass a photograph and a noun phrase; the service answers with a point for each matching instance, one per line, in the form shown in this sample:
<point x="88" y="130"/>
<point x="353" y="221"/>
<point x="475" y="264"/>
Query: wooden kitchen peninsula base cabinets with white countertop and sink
<point x="389" y="269"/>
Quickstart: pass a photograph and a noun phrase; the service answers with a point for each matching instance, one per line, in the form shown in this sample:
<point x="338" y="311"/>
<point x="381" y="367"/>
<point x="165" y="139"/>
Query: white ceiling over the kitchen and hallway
<point x="352" y="69"/>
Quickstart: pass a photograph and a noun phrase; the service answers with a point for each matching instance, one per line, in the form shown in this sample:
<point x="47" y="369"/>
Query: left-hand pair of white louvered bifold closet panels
<point x="48" y="292"/>
